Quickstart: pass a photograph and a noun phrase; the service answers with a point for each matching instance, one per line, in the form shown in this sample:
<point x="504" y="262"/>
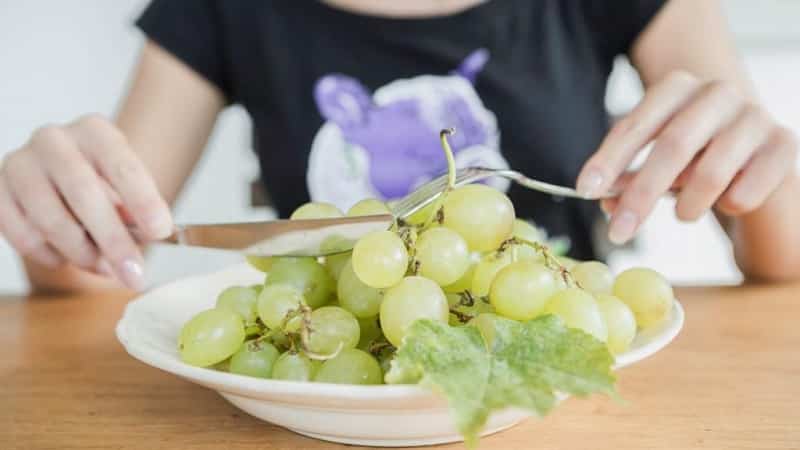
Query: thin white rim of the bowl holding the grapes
<point x="259" y="387"/>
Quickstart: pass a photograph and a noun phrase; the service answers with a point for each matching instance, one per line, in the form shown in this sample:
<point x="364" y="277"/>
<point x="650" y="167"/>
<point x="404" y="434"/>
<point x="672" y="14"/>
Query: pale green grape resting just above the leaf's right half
<point x="578" y="309"/>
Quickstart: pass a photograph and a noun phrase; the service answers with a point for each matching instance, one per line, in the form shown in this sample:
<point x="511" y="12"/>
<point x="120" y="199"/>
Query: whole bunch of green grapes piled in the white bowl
<point x="463" y="260"/>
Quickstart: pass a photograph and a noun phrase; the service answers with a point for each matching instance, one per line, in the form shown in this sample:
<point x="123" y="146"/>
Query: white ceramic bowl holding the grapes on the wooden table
<point x="398" y="415"/>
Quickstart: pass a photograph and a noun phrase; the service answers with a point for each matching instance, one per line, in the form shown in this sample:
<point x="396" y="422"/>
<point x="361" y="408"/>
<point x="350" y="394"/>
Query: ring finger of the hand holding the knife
<point x="43" y="207"/>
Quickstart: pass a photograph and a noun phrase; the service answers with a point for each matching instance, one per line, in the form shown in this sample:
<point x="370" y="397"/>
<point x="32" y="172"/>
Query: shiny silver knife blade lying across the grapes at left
<point x="306" y="237"/>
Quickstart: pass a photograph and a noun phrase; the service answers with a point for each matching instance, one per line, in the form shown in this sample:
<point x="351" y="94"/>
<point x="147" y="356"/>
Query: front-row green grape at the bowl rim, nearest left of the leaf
<point x="350" y="366"/>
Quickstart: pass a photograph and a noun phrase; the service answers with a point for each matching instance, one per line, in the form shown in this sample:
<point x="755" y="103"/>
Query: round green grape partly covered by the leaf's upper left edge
<point x="411" y="299"/>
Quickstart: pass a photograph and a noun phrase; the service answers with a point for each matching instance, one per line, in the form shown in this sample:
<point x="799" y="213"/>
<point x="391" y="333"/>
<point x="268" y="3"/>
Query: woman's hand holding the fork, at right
<point x="712" y="145"/>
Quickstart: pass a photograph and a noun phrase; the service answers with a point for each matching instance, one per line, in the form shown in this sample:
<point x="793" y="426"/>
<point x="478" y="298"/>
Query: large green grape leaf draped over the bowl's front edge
<point x="528" y="364"/>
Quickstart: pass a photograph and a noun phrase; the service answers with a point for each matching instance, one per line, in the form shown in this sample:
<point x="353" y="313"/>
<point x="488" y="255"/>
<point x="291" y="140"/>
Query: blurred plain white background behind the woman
<point x="61" y="59"/>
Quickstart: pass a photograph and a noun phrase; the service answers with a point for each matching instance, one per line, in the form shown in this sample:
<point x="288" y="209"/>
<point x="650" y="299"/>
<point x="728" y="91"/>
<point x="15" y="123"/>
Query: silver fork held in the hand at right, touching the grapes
<point x="431" y="190"/>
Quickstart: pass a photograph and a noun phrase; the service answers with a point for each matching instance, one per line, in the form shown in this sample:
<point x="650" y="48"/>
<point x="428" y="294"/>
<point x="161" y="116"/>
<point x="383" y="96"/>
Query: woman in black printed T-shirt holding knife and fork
<point x="346" y="98"/>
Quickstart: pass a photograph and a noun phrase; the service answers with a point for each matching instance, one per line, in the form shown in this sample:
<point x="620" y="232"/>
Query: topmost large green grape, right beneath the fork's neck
<point x="483" y="216"/>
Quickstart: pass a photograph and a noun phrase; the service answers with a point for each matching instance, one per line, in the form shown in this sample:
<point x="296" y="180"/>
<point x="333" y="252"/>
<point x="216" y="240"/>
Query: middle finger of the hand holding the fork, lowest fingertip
<point x="675" y="147"/>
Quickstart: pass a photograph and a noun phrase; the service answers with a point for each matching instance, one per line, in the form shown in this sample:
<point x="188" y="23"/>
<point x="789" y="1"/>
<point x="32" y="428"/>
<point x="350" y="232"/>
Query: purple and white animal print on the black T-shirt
<point x="385" y="145"/>
